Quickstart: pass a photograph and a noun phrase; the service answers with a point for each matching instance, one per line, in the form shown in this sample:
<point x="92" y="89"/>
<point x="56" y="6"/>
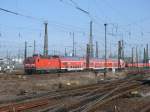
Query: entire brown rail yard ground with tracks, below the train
<point x="75" y="92"/>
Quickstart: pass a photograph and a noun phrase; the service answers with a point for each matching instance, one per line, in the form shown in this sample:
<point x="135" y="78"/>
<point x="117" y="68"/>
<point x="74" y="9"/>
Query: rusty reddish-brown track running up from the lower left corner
<point x="49" y="97"/>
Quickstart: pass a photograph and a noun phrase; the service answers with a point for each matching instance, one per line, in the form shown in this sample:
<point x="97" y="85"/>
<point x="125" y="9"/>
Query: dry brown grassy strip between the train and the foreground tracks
<point x="13" y="86"/>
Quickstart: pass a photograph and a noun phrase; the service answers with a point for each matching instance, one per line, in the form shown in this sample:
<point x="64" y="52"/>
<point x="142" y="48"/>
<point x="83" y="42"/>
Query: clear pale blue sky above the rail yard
<point x="127" y="19"/>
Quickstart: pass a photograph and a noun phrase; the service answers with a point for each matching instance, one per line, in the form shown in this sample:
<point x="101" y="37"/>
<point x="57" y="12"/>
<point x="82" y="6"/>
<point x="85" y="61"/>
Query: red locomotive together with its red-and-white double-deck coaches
<point x="54" y="63"/>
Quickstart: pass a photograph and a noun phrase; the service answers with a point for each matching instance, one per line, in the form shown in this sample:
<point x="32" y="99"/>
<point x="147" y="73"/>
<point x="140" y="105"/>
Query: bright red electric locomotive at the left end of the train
<point x="41" y="64"/>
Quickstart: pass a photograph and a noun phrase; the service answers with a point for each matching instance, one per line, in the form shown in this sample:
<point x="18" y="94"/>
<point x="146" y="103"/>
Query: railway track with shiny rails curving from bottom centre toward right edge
<point x="90" y="103"/>
